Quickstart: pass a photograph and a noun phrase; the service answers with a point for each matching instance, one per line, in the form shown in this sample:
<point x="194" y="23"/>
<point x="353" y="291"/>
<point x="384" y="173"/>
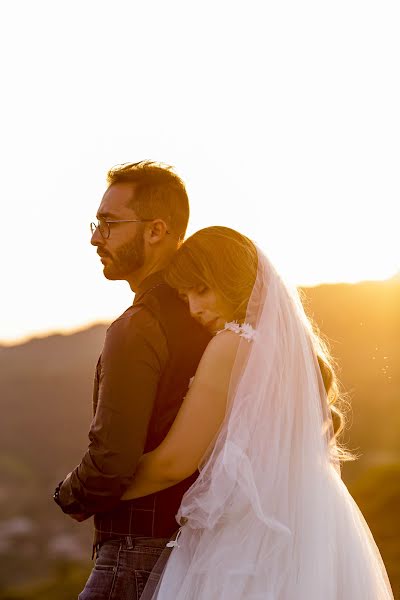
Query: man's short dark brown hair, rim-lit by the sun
<point x="159" y="193"/>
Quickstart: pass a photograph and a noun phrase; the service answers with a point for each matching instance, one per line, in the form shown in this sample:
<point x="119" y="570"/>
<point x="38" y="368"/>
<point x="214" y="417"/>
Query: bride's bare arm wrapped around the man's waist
<point x="195" y="425"/>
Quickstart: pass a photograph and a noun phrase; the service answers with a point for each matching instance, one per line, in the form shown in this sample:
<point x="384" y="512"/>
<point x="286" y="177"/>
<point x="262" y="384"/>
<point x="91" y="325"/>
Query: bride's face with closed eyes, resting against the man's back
<point x="207" y="307"/>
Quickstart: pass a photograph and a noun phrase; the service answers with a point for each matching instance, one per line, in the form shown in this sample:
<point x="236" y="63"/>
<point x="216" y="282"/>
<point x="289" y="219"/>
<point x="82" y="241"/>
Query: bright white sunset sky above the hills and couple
<point x="282" y="118"/>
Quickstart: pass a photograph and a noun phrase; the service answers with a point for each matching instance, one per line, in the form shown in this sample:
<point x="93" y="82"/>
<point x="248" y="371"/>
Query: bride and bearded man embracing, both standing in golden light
<point x="213" y="468"/>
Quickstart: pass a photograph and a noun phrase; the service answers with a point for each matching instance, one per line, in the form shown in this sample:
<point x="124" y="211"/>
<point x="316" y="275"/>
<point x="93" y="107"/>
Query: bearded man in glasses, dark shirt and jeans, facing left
<point x="150" y="353"/>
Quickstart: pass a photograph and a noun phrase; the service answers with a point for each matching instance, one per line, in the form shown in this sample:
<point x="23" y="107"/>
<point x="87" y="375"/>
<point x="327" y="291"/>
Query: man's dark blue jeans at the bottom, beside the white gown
<point x="122" y="568"/>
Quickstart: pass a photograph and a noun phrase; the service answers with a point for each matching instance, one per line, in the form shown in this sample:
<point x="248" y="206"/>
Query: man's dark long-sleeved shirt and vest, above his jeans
<point x="142" y="375"/>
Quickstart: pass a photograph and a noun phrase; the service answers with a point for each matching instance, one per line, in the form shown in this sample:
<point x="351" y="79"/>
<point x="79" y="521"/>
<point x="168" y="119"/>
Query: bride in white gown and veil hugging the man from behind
<point x="269" y="516"/>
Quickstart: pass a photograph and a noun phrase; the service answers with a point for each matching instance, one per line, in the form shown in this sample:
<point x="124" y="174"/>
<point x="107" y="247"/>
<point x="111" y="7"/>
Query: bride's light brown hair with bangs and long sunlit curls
<point x="226" y="261"/>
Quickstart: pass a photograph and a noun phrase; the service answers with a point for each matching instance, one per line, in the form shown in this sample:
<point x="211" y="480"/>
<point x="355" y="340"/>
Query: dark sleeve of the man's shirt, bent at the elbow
<point x="134" y="356"/>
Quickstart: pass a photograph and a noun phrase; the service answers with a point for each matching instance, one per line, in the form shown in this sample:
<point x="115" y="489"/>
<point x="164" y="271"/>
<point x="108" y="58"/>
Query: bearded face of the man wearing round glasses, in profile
<point x="122" y="253"/>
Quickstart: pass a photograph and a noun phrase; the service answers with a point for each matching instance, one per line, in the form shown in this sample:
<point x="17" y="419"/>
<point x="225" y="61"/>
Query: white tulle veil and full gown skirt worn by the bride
<point x="269" y="516"/>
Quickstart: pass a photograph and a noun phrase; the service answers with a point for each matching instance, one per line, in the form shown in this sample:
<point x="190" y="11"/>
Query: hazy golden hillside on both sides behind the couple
<point x="45" y="405"/>
